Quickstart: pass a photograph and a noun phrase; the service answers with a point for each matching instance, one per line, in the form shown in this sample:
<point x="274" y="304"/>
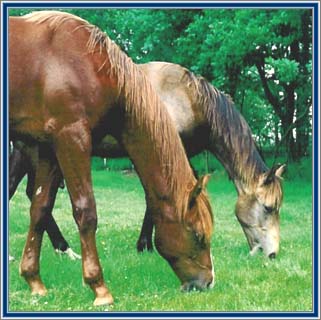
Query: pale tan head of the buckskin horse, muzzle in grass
<point x="258" y="212"/>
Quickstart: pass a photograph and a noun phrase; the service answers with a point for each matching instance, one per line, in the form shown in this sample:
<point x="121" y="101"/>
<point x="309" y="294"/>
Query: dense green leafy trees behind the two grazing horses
<point x="228" y="47"/>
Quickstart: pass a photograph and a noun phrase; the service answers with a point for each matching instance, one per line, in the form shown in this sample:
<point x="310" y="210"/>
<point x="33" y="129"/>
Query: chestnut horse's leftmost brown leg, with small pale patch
<point x="46" y="185"/>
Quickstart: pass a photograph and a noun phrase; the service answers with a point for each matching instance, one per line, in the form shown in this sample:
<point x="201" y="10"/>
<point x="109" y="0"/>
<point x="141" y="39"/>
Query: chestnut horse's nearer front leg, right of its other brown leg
<point x="73" y="150"/>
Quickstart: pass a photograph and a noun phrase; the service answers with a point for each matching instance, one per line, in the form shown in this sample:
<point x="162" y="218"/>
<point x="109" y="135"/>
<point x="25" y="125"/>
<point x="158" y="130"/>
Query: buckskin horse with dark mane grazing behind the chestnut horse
<point x="208" y="120"/>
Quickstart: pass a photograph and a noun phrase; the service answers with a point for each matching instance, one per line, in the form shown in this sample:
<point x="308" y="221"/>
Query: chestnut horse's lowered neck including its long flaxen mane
<point x="148" y="133"/>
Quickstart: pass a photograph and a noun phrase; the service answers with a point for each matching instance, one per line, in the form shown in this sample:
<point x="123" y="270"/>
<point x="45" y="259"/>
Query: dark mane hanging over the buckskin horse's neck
<point x="230" y="137"/>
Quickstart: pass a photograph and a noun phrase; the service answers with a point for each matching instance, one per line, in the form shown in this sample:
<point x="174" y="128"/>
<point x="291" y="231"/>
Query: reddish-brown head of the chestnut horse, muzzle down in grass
<point x="185" y="243"/>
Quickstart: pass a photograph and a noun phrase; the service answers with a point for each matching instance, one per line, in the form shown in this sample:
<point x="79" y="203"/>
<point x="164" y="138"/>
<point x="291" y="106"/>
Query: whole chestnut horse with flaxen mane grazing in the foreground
<point x="70" y="85"/>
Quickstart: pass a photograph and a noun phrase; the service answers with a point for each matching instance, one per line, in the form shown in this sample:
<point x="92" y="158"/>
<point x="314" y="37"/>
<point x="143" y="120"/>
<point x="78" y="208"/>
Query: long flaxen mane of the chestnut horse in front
<point x="141" y="103"/>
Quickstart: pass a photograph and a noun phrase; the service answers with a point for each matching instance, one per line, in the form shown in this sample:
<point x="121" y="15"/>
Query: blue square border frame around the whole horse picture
<point x="314" y="5"/>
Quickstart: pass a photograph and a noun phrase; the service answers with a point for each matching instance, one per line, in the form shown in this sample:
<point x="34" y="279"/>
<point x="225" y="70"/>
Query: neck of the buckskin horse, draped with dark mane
<point x="232" y="143"/>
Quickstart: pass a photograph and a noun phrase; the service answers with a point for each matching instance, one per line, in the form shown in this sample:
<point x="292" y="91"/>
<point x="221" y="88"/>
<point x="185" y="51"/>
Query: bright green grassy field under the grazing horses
<point x="144" y="282"/>
